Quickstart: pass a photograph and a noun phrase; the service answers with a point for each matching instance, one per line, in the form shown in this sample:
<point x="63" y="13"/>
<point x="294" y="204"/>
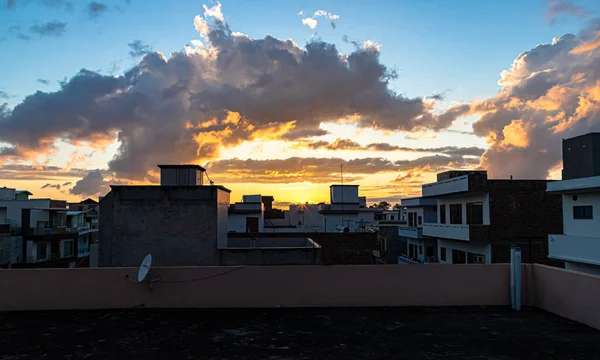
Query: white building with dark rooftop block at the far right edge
<point x="579" y="243"/>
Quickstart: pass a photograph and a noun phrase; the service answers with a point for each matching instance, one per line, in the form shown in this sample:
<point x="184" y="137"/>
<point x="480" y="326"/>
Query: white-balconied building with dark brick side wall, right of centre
<point x="479" y="219"/>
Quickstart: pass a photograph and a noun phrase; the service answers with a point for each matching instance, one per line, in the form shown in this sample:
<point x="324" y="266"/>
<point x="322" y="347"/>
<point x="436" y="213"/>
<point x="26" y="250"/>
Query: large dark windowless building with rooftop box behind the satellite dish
<point x="180" y="225"/>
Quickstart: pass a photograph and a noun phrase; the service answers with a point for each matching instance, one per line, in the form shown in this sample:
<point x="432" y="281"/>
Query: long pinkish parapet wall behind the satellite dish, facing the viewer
<point x="258" y="286"/>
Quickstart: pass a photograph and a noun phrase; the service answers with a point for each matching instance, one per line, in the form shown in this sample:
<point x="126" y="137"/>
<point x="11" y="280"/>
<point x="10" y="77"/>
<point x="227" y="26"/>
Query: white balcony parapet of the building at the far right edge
<point x="574" y="248"/>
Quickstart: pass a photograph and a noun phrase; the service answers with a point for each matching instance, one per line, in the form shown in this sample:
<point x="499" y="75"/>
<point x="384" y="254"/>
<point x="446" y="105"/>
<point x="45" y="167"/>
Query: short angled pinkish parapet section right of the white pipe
<point x="569" y="294"/>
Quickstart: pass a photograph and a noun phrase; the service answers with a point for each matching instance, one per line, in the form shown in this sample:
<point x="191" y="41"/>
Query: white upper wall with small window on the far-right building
<point x="581" y="227"/>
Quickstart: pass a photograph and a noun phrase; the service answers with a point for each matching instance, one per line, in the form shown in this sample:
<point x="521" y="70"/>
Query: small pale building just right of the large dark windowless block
<point x="246" y="216"/>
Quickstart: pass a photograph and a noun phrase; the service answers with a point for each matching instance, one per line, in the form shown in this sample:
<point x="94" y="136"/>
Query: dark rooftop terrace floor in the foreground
<point x="326" y="333"/>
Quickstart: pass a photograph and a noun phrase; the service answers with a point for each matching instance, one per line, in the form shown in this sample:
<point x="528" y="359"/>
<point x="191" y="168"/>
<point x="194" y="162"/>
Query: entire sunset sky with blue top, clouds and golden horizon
<point x="275" y="97"/>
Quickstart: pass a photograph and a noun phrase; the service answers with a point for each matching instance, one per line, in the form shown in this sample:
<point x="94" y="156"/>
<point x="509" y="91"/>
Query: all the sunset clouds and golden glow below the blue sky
<point x="269" y="111"/>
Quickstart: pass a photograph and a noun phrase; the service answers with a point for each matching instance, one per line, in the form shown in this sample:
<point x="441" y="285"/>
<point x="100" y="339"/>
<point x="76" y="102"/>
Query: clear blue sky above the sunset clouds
<point x="434" y="45"/>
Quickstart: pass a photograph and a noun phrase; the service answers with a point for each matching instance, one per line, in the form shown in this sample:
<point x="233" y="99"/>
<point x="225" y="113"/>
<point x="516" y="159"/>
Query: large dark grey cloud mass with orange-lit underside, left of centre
<point x="230" y="89"/>
